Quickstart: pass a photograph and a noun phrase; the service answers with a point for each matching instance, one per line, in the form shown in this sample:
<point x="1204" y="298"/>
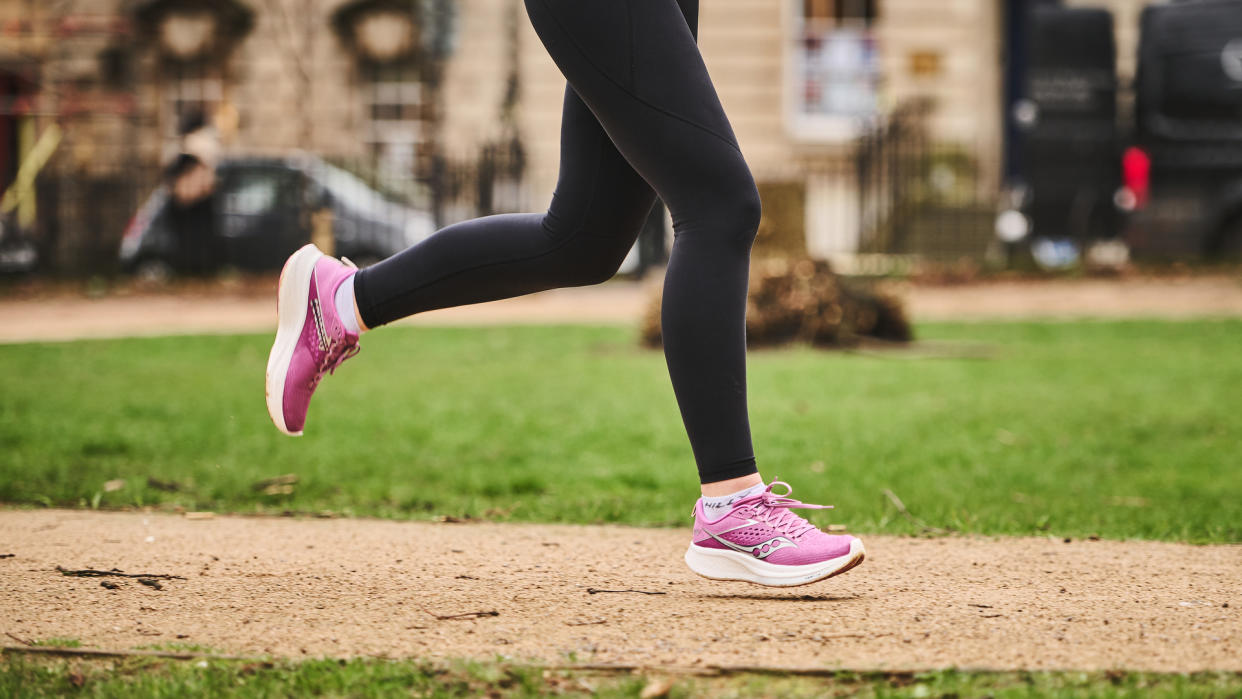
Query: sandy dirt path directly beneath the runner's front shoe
<point x="350" y="588"/>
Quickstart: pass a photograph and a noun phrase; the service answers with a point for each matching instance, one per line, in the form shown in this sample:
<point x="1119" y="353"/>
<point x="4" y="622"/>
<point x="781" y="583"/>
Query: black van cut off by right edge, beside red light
<point x="1184" y="174"/>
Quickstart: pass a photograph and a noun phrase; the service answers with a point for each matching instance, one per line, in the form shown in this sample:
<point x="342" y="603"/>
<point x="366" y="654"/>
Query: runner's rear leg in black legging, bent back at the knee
<point x="596" y="215"/>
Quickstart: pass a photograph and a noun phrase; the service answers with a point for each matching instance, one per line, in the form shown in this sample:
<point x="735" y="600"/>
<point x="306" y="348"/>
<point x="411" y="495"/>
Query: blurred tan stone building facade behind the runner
<point x="396" y="86"/>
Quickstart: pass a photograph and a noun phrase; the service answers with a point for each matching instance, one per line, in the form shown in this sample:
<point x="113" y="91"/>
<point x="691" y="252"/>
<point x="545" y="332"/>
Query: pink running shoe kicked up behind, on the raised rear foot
<point x="311" y="341"/>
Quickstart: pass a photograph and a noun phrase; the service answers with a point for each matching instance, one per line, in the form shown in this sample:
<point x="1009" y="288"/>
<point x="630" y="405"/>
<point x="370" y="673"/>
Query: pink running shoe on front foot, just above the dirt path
<point x="762" y="542"/>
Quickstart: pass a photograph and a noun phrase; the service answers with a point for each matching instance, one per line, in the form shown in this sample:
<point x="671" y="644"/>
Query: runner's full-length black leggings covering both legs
<point x="640" y="115"/>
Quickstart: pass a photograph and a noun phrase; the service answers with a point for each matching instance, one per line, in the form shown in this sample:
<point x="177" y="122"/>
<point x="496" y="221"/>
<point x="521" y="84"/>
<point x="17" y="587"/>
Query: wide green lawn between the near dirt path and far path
<point x="1116" y="429"/>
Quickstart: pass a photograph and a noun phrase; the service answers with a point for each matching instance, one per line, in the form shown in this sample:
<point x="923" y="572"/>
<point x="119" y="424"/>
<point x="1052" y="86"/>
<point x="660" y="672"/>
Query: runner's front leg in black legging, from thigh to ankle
<point x="637" y="66"/>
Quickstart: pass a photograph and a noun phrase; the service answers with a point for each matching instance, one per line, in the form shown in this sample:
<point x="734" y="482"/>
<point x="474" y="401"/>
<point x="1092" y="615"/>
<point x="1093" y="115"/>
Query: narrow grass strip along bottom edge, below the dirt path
<point x="143" y="677"/>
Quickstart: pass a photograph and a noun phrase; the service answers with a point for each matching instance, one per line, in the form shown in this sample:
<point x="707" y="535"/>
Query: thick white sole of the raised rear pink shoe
<point x="294" y="294"/>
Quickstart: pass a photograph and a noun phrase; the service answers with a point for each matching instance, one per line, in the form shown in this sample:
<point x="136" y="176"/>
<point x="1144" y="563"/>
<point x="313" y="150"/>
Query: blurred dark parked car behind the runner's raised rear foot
<point x="260" y="212"/>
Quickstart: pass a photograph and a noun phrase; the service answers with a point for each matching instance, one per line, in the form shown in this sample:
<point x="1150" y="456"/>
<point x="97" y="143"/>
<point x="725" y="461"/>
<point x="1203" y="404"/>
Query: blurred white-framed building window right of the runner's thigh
<point x="834" y="78"/>
